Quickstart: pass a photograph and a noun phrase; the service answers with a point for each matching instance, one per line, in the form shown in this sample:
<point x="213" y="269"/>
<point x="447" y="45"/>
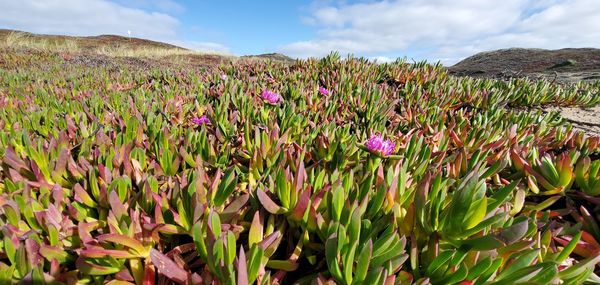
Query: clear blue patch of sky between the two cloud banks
<point x="246" y="27"/>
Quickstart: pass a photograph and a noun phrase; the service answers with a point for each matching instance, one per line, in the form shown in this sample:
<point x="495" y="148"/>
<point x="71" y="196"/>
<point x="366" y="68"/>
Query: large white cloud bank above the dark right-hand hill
<point x="448" y="30"/>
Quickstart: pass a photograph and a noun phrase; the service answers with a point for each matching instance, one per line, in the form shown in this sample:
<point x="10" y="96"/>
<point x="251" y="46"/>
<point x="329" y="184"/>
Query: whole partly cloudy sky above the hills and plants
<point x="433" y="30"/>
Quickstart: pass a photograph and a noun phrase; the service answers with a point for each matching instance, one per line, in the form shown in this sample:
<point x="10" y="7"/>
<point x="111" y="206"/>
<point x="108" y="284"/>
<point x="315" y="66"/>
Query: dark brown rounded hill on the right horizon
<point x="582" y="62"/>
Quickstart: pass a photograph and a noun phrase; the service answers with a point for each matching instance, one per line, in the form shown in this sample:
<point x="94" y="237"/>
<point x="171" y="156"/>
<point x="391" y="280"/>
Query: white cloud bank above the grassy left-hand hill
<point x="96" y="17"/>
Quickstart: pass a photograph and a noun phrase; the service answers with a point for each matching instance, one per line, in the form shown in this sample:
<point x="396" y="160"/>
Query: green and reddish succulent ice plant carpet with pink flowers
<point x="324" y="171"/>
